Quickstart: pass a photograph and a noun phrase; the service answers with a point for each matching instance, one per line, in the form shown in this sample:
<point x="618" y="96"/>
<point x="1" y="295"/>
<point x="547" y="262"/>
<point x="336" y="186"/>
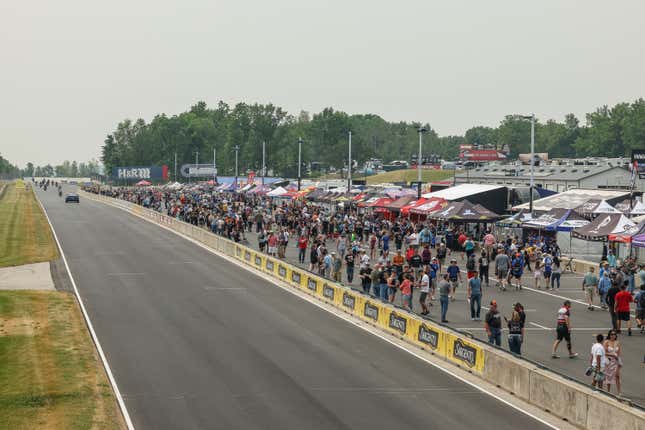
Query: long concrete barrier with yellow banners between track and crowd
<point x="567" y="399"/>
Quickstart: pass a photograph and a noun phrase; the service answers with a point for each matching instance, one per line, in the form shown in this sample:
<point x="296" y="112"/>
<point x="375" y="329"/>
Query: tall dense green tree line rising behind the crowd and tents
<point x="607" y="132"/>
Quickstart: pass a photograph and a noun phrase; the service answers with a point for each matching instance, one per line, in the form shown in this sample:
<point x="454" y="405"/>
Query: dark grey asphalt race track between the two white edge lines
<point x="197" y="342"/>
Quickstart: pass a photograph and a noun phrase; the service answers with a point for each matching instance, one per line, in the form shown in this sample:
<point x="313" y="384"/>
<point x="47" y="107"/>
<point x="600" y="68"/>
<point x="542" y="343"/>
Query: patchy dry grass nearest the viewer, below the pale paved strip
<point x="50" y="375"/>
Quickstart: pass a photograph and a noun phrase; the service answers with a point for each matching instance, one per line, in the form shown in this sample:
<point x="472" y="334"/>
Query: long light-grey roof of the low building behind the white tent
<point x="521" y="173"/>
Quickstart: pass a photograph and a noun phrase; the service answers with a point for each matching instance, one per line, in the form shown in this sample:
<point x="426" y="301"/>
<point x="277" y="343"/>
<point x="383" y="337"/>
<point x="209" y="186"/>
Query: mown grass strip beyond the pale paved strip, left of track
<point x="25" y="236"/>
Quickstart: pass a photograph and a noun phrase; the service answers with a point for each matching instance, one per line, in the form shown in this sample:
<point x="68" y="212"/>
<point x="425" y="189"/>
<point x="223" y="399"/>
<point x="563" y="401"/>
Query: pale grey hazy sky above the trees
<point x="72" y="69"/>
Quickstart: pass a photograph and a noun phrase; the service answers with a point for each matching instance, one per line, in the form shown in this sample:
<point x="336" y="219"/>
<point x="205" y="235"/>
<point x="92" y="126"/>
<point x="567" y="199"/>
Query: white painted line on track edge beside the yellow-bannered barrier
<point x="349" y="319"/>
